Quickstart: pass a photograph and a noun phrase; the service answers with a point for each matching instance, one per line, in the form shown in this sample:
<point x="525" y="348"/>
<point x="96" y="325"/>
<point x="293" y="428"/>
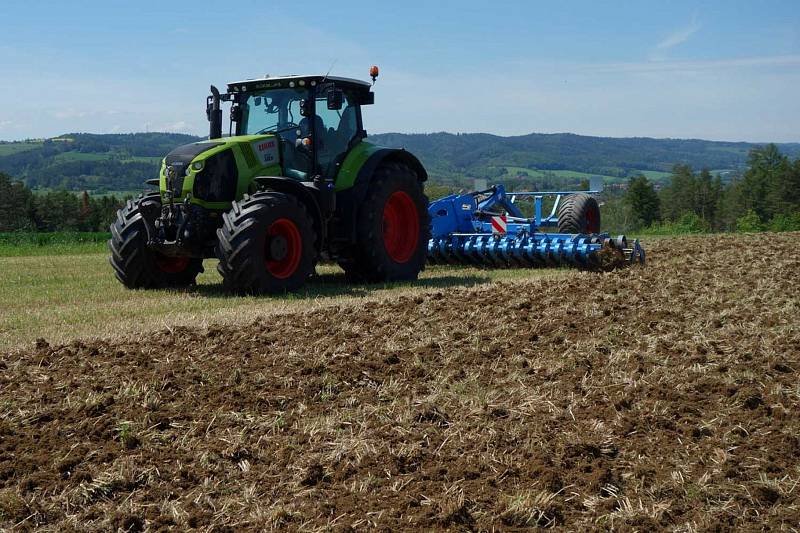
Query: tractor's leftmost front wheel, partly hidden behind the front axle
<point x="136" y="265"/>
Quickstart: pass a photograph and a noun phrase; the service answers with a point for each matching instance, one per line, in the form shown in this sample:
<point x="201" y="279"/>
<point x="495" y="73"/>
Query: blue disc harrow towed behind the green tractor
<point x="487" y="229"/>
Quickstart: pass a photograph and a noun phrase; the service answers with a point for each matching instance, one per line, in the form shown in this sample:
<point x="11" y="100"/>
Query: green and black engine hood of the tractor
<point x="216" y="172"/>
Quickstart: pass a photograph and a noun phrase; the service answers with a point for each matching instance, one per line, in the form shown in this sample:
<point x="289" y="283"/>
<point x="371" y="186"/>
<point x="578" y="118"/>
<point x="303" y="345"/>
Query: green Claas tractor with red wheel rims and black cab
<point x="294" y="182"/>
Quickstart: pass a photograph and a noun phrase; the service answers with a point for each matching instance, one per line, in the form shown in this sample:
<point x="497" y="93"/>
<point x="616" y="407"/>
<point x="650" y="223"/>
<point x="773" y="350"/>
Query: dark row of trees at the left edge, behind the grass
<point x="22" y="210"/>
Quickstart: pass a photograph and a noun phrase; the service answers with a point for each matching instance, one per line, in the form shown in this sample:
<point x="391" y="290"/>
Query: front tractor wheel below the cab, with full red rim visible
<point x="266" y="244"/>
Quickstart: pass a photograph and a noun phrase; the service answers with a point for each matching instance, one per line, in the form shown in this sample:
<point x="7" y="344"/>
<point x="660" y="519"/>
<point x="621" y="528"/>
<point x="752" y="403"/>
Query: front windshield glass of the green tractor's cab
<point x="272" y="111"/>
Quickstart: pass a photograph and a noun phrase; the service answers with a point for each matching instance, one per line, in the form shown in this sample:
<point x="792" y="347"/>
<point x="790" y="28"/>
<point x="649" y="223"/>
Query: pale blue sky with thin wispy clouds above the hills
<point x="718" y="69"/>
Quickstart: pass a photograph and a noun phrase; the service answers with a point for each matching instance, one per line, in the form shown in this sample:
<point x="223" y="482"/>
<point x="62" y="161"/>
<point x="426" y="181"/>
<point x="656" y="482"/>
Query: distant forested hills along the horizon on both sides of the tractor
<point x="122" y="162"/>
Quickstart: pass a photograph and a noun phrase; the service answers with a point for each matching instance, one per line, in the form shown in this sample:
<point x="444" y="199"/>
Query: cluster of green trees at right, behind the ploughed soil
<point x="766" y="196"/>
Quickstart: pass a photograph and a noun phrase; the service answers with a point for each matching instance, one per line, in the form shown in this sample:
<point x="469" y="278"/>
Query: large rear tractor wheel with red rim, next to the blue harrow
<point x="393" y="228"/>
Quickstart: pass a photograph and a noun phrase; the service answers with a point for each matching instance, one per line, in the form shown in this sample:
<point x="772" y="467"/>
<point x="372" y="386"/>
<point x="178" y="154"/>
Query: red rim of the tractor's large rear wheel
<point x="400" y="226"/>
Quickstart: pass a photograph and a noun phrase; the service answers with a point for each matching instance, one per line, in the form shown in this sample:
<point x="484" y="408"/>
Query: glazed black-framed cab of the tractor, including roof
<point x="314" y="119"/>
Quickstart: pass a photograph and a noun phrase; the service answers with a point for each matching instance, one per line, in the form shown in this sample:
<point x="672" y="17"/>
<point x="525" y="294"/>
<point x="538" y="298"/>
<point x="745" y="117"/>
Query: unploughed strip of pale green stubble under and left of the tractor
<point x="62" y="297"/>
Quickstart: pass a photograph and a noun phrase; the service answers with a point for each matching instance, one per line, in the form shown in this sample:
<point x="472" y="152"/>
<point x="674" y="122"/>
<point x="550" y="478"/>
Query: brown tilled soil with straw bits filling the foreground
<point x="664" y="397"/>
